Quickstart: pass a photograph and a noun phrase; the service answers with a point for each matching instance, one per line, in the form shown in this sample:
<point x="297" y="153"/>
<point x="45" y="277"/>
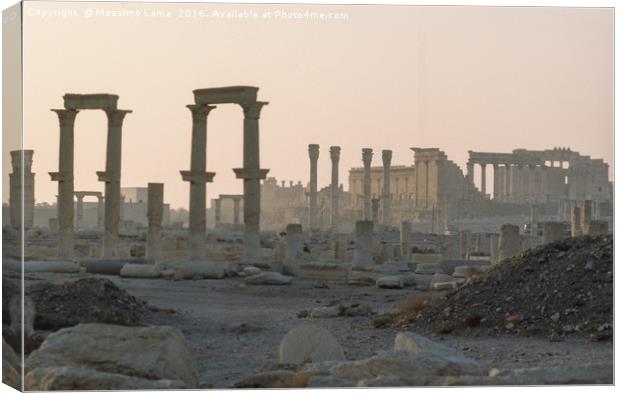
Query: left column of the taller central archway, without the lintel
<point x="198" y="177"/>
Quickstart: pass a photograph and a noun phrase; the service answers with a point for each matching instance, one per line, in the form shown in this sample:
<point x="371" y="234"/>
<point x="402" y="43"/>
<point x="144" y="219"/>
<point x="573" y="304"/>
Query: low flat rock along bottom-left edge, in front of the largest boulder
<point x="74" y="378"/>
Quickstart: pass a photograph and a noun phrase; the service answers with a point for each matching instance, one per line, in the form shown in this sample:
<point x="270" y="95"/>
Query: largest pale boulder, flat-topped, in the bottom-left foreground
<point x="152" y="353"/>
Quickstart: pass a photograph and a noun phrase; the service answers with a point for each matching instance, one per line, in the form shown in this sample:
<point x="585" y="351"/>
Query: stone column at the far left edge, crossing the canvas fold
<point x="21" y="184"/>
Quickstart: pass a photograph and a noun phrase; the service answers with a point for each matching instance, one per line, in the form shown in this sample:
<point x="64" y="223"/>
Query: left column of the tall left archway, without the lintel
<point x="64" y="177"/>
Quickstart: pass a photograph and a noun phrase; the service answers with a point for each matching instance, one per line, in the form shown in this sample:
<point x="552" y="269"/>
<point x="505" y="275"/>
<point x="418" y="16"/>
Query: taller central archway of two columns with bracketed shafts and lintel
<point x="251" y="173"/>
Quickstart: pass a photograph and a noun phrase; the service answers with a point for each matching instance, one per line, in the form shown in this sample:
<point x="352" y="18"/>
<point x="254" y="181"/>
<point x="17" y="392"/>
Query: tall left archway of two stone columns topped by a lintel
<point x="73" y="103"/>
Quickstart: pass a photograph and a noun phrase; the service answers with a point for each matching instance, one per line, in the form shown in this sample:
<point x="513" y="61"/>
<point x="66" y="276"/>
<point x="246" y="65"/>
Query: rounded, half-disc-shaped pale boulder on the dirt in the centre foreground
<point x="309" y="343"/>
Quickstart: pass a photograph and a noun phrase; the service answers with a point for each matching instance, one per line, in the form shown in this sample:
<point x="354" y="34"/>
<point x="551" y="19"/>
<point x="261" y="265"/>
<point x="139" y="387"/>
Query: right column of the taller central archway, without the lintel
<point x="252" y="174"/>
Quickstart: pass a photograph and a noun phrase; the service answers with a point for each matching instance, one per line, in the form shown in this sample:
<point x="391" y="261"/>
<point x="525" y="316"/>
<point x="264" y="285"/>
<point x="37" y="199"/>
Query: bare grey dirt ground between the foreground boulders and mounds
<point x="233" y="330"/>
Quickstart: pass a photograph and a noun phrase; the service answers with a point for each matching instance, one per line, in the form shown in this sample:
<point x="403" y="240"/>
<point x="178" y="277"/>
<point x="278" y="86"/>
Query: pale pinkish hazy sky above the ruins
<point x="457" y="78"/>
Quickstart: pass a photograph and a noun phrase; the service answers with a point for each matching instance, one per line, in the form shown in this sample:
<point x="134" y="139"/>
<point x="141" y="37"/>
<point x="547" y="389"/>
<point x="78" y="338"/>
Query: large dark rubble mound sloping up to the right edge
<point x="564" y="288"/>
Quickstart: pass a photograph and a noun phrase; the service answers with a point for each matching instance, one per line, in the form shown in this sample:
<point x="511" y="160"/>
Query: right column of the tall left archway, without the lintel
<point x="112" y="179"/>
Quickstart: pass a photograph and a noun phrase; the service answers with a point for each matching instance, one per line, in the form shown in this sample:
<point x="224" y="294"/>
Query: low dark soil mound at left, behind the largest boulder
<point x="85" y="300"/>
